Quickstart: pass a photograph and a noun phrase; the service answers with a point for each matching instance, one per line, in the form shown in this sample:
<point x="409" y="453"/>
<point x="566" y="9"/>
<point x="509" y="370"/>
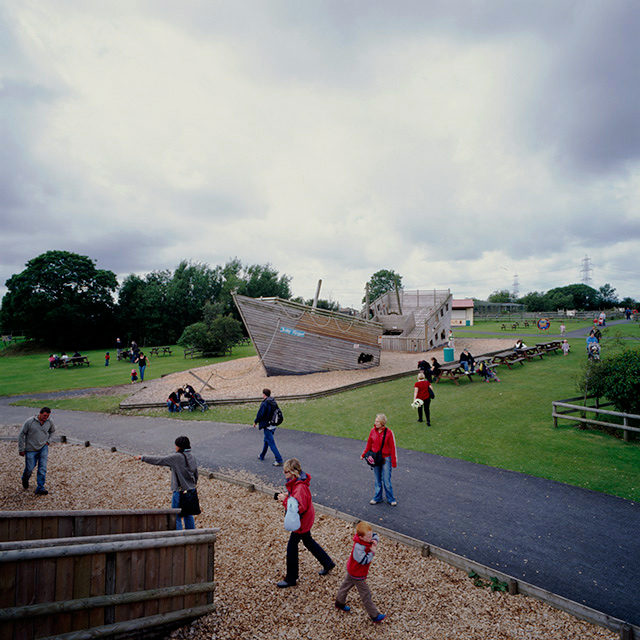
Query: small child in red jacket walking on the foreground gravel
<point x="365" y="543"/>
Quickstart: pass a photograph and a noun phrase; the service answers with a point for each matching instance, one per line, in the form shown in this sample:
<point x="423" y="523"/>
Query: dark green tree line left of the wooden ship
<point x="63" y="300"/>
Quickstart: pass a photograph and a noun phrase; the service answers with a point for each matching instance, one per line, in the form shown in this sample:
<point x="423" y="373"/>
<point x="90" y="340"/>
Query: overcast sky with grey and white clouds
<point x="457" y="142"/>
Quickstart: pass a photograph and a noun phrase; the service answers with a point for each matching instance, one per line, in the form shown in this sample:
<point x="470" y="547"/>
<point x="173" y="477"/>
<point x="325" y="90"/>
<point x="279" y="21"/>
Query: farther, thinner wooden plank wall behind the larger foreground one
<point x="35" y="525"/>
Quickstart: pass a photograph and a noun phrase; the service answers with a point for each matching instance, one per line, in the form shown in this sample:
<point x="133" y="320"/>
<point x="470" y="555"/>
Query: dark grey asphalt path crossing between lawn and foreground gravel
<point x="576" y="543"/>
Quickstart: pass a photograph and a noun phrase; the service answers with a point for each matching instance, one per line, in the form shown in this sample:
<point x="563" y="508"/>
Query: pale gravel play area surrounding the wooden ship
<point x="245" y="378"/>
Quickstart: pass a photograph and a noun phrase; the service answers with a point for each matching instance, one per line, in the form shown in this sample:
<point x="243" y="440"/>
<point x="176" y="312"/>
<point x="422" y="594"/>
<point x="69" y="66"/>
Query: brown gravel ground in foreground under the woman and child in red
<point x="424" y="598"/>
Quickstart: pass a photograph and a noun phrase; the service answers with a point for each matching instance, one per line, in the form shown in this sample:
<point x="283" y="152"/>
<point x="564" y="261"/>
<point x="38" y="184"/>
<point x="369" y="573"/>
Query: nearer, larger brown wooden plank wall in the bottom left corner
<point x="99" y="586"/>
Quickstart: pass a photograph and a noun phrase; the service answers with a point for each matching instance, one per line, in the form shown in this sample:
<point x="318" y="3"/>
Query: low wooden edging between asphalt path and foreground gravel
<point x="624" y="629"/>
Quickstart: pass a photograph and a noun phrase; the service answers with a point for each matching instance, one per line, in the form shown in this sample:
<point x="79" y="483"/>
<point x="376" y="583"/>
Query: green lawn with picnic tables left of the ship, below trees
<point x="31" y="374"/>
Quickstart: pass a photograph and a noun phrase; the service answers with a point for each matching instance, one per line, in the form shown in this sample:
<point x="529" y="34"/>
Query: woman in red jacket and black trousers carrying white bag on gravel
<point x="301" y="514"/>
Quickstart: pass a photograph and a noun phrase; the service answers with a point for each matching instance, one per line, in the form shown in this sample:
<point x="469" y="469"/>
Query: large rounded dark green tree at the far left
<point x="62" y="300"/>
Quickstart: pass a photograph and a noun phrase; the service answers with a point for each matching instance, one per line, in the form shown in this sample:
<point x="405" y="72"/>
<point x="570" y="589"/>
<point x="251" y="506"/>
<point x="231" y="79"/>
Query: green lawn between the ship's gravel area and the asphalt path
<point x="506" y="425"/>
